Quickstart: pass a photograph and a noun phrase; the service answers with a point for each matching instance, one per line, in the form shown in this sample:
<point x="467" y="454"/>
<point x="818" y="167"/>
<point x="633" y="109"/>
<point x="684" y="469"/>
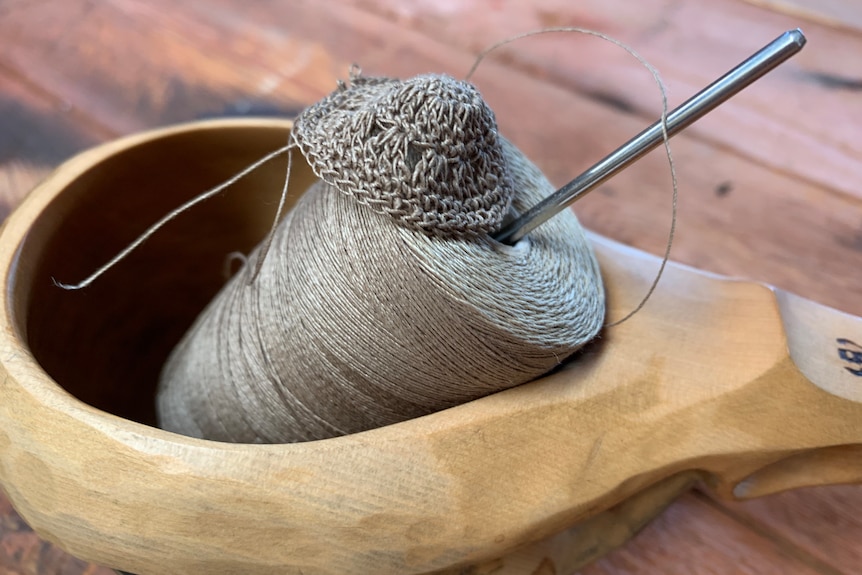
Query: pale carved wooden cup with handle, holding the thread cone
<point x="746" y="388"/>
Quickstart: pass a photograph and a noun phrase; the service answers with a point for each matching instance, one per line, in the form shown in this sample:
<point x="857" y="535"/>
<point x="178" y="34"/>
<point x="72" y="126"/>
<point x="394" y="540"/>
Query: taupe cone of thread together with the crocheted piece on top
<point x="383" y="296"/>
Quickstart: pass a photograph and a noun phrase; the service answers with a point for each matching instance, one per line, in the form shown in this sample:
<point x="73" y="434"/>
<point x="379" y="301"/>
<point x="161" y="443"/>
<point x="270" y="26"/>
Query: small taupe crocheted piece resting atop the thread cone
<point x="424" y="151"/>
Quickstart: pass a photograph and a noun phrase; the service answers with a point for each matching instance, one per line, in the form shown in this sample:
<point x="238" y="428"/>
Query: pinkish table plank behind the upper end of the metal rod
<point x="784" y="123"/>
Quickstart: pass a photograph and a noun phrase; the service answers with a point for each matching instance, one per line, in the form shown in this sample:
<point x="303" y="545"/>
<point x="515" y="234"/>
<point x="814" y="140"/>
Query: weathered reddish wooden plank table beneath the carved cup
<point x="771" y="183"/>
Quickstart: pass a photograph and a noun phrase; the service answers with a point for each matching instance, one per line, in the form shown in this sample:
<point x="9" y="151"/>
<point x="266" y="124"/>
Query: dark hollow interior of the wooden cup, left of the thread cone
<point x="105" y="344"/>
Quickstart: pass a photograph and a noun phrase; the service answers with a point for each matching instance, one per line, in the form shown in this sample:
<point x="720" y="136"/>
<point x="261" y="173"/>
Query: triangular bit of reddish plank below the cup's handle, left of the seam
<point x="713" y="543"/>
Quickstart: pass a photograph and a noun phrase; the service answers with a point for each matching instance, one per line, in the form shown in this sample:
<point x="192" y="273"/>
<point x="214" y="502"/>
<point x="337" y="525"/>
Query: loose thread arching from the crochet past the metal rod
<point x="665" y="136"/>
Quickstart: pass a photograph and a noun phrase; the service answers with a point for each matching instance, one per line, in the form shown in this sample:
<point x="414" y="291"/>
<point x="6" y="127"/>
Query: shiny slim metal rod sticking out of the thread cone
<point x="686" y="114"/>
